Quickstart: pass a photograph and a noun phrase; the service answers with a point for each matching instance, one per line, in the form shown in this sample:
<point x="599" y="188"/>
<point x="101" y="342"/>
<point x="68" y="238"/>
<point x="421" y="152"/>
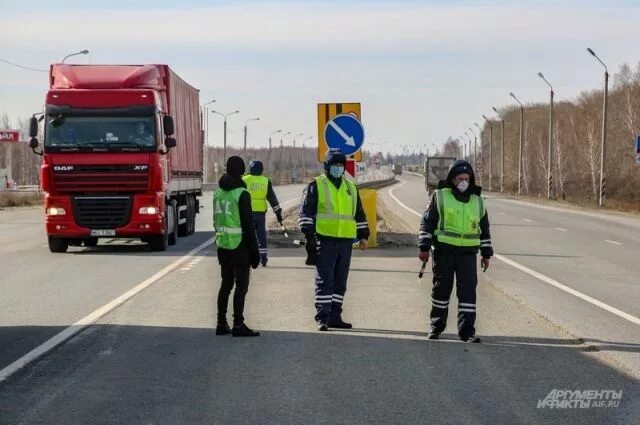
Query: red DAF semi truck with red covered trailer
<point x="122" y="155"/>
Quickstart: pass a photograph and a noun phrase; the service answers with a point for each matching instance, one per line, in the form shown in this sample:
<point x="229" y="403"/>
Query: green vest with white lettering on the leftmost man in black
<point x="226" y="218"/>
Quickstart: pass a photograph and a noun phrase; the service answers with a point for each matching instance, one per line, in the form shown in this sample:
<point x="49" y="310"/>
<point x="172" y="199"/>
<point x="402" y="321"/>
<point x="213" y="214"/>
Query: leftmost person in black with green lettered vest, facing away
<point x="237" y="247"/>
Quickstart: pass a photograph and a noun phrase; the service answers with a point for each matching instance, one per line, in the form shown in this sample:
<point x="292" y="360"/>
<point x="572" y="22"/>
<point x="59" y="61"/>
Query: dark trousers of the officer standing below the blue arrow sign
<point x="332" y="270"/>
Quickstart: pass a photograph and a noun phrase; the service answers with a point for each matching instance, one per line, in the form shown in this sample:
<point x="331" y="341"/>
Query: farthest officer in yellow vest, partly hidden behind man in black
<point x="261" y="191"/>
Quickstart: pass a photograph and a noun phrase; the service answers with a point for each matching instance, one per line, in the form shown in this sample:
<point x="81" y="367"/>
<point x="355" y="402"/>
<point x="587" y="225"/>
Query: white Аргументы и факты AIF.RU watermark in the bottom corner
<point x="581" y="399"/>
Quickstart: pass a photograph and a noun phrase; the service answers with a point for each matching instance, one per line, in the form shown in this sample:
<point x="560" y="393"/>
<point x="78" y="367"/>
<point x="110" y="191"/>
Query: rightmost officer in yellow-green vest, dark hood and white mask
<point x="456" y="223"/>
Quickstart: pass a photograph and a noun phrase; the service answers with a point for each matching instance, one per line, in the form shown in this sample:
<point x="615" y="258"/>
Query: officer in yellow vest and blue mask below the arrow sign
<point x="332" y="214"/>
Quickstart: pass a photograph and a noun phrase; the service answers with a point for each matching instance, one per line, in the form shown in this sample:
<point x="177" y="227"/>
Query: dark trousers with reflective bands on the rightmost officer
<point x="464" y="266"/>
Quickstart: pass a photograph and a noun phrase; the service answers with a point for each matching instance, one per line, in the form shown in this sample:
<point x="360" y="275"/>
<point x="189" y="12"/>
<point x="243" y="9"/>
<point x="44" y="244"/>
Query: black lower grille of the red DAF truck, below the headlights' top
<point x="107" y="212"/>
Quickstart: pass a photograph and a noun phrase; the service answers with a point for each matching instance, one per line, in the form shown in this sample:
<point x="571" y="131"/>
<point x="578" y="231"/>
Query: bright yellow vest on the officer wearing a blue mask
<point x="336" y="208"/>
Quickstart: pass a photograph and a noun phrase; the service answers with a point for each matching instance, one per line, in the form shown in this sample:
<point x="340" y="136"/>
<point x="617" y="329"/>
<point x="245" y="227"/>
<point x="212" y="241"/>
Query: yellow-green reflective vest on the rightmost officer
<point x="459" y="222"/>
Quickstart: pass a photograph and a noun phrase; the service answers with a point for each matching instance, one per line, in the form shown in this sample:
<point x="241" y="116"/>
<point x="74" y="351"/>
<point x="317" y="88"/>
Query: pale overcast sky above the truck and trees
<point x="423" y="70"/>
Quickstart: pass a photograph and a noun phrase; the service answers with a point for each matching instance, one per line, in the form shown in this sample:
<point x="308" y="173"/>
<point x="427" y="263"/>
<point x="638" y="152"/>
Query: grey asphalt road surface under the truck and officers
<point x="155" y="358"/>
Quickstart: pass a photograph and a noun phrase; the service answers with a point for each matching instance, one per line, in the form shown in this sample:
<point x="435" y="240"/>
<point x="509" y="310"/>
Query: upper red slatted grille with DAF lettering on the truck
<point x="101" y="178"/>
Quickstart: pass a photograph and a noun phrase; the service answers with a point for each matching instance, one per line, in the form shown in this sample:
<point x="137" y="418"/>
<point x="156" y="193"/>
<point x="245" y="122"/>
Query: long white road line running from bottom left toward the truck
<point x="91" y="318"/>
